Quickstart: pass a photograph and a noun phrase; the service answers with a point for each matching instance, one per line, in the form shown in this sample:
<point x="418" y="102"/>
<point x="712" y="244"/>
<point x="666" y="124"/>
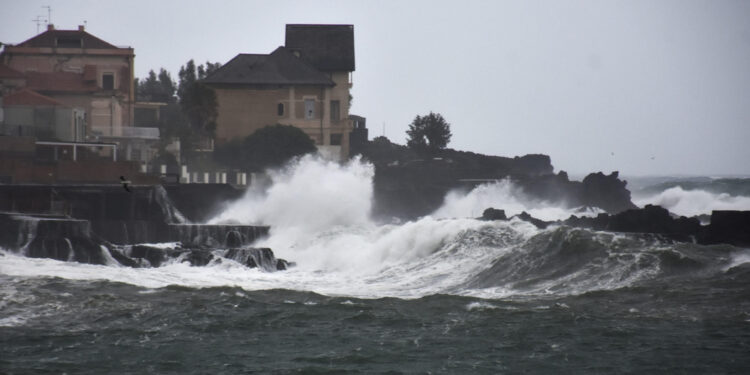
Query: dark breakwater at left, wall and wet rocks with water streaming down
<point x="105" y="224"/>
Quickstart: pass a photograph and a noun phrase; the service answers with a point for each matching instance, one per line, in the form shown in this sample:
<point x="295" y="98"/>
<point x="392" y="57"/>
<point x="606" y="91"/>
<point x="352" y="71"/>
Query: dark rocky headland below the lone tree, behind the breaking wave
<point x="408" y="185"/>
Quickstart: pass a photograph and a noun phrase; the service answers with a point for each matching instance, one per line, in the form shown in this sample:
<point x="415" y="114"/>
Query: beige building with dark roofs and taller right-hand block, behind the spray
<point x="306" y="84"/>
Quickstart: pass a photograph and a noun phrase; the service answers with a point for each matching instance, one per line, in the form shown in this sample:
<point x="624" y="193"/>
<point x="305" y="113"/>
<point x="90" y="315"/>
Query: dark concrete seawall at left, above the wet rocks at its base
<point x="144" y="214"/>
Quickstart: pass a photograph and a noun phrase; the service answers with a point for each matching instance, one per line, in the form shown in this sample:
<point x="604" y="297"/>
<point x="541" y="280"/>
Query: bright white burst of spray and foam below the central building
<point x="319" y="213"/>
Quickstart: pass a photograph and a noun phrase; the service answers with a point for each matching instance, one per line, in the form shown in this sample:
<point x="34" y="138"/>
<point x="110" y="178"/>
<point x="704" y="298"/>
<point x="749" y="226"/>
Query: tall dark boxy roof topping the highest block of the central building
<point x="327" y="47"/>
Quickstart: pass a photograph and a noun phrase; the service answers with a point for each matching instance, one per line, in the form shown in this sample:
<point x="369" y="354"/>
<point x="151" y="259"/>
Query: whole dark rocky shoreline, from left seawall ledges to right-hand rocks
<point x="101" y="224"/>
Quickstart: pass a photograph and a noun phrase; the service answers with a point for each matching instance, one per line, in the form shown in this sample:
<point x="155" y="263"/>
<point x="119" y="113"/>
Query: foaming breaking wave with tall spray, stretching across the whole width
<point x="319" y="214"/>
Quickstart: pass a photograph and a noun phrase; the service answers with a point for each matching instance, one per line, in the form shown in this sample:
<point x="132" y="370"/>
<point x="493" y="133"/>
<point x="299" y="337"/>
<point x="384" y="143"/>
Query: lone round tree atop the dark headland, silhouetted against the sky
<point x="428" y="133"/>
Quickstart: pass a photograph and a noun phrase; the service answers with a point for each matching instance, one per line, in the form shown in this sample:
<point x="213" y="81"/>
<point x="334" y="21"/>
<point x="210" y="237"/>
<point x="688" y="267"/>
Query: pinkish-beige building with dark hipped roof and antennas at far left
<point x="80" y="71"/>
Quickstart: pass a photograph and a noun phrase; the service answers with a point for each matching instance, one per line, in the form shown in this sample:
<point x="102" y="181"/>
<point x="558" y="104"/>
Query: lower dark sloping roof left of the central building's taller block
<point x="280" y="67"/>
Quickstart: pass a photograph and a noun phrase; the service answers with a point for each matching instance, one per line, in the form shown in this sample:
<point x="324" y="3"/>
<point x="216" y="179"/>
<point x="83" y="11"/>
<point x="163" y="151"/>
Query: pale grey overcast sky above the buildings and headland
<point x="597" y="85"/>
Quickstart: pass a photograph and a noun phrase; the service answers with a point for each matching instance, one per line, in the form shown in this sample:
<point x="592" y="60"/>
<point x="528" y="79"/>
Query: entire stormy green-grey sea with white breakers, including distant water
<point x="446" y="293"/>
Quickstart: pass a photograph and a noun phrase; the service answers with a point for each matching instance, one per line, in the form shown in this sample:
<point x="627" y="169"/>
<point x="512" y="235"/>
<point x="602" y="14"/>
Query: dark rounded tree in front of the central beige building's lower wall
<point x="268" y="147"/>
